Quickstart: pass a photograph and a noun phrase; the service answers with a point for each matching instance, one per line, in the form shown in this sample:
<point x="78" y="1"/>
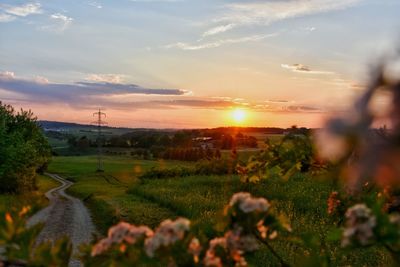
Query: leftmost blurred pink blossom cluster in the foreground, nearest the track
<point x="120" y="234"/>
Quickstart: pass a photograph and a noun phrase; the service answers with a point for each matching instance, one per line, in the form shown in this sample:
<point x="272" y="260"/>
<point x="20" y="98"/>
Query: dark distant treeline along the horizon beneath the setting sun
<point x="190" y="145"/>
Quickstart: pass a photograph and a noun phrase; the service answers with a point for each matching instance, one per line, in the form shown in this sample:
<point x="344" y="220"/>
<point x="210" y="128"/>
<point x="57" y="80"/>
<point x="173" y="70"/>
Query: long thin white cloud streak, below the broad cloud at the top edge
<point x="218" y="43"/>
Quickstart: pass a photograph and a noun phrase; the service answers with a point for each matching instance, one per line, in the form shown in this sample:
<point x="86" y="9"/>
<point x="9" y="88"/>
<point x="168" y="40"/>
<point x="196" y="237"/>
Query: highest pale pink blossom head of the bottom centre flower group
<point x="249" y="204"/>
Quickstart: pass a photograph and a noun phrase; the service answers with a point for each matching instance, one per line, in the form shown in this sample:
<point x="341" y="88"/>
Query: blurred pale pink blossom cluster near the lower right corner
<point x="360" y="224"/>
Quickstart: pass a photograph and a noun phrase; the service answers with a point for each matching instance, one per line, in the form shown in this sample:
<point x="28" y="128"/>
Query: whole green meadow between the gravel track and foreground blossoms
<point x="117" y="194"/>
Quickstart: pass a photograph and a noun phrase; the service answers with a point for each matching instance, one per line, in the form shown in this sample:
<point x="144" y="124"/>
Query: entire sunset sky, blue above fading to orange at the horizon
<point x="191" y="63"/>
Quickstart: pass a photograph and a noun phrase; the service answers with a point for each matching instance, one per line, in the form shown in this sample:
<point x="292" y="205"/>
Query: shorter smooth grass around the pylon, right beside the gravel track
<point x="105" y="193"/>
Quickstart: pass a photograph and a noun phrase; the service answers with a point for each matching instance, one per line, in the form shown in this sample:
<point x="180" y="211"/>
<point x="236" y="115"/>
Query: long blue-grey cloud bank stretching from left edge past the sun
<point x="128" y="96"/>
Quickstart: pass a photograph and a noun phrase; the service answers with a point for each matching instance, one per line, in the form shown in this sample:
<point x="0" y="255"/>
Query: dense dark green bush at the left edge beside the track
<point x="23" y="150"/>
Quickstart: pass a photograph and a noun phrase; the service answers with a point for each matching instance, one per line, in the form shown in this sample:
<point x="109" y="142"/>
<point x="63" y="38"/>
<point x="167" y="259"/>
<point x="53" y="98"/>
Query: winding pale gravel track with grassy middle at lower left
<point x="65" y="216"/>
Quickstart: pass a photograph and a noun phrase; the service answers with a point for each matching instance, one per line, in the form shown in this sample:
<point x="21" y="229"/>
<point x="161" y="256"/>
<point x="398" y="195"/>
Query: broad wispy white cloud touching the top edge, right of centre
<point x="245" y="13"/>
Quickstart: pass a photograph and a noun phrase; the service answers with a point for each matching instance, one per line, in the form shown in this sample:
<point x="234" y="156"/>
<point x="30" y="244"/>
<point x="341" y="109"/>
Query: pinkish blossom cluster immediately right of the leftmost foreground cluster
<point x="166" y="234"/>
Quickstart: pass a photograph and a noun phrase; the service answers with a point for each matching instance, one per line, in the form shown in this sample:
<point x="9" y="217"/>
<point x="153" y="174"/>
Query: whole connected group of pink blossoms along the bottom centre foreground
<point x="249" y="223"/>
